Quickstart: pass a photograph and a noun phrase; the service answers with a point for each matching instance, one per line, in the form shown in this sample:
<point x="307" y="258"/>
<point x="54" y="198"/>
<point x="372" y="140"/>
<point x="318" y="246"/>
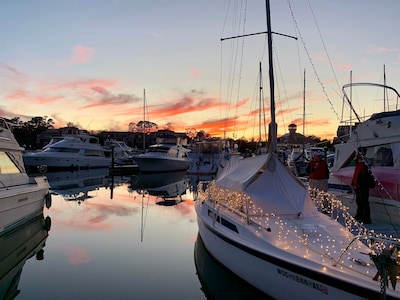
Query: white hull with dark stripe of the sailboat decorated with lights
<point x="275" y="272"/>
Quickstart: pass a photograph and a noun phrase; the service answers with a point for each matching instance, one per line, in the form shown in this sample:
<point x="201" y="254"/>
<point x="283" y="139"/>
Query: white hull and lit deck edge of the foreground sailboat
<point x="281" y="272"/>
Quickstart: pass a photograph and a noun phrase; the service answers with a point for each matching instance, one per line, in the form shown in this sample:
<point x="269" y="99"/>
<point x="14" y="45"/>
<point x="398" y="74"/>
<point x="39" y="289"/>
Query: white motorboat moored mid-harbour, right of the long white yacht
<point x="163" y="158"/>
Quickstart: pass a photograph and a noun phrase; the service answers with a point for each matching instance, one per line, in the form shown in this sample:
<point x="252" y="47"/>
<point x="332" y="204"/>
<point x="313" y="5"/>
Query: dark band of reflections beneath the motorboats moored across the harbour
<point x="167" y="187"/>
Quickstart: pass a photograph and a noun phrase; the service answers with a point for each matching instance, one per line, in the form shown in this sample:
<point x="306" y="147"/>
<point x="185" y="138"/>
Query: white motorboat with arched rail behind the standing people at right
<point x="378" y="138"/>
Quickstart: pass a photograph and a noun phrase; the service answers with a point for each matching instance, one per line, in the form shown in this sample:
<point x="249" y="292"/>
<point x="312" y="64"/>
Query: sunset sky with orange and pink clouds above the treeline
<point x="89" y="61"/>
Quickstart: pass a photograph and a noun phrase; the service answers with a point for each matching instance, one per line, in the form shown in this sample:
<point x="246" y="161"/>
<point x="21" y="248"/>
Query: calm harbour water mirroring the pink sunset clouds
<point x="118" y="239"/>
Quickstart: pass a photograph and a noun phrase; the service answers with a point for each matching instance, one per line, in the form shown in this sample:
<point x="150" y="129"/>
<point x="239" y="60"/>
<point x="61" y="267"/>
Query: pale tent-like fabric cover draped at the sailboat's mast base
<point x="274" y="191"/>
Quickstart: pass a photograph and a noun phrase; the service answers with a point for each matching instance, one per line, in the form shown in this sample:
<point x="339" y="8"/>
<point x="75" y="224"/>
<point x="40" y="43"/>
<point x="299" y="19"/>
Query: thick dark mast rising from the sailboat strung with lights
<point x="272" y="125"/>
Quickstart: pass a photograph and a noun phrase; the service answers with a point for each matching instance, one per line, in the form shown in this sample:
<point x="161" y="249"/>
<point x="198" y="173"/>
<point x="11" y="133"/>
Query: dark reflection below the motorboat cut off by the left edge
<point x="17" y="246"/>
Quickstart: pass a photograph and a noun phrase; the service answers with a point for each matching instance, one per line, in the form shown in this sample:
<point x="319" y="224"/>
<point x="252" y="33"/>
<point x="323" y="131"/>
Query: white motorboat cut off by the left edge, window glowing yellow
<point x="21" y="196"/>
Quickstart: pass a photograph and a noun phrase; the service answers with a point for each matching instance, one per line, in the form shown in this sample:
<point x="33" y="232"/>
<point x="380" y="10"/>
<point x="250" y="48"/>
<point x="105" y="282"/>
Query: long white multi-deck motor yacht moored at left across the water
<point x="80" y="151"/>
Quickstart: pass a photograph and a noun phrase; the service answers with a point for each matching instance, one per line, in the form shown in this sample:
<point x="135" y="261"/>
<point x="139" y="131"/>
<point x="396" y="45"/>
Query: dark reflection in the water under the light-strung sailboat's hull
<point x="218" y="282"/>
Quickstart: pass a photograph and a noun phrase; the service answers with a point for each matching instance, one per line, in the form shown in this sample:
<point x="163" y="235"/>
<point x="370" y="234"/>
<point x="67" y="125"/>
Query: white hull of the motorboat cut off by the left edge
<point x="21" y="202"/>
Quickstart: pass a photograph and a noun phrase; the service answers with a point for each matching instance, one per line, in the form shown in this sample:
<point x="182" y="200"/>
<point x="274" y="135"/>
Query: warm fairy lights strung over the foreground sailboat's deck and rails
<point x="290" y="236"/>
